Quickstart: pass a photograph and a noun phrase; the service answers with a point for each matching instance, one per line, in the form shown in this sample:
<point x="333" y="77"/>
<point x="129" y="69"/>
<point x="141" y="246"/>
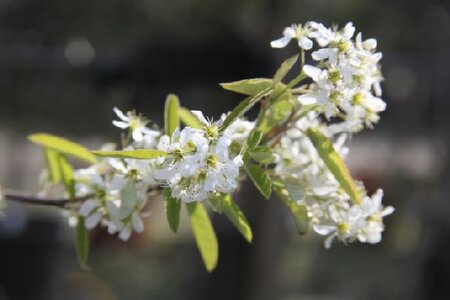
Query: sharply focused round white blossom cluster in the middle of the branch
<point x="199" y="162"/>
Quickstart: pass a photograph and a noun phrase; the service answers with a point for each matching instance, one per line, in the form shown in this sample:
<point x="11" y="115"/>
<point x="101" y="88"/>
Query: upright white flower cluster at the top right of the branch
<point x="346" y="82"/>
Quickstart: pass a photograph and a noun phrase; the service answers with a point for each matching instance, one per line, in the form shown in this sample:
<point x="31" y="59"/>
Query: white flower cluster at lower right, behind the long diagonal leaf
<point x="331" y="210"/>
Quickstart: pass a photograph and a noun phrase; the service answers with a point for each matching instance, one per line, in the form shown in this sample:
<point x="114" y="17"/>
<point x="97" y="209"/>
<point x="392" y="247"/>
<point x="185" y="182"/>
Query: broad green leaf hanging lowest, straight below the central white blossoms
<point x="204" y="234"/>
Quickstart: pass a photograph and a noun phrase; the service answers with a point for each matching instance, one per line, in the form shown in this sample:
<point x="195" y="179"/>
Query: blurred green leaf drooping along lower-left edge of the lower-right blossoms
<point x="289" y="198"/>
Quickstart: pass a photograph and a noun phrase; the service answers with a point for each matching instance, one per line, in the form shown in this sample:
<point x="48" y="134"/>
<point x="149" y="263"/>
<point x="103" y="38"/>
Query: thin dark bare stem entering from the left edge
<point x="29" y="198"/>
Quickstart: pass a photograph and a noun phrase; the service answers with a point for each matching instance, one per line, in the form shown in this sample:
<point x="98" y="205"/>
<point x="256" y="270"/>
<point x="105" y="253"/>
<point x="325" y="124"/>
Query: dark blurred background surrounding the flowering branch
<point x="65" y="64"/>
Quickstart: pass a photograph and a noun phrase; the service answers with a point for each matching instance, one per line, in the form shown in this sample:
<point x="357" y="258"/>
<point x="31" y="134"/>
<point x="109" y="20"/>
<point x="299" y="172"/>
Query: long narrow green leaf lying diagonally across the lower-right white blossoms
<point x="334" y="163"/>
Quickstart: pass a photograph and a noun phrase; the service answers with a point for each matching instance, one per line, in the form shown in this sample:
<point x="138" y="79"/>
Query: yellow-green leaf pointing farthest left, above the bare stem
<point x="62" y="145"/>
